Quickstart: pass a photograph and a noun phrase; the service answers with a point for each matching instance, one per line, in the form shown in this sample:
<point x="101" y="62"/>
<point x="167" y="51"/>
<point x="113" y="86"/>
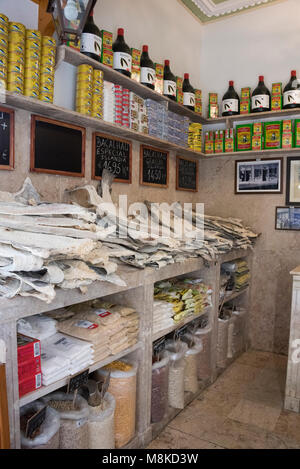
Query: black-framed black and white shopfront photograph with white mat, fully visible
<point x="258" y="176"/>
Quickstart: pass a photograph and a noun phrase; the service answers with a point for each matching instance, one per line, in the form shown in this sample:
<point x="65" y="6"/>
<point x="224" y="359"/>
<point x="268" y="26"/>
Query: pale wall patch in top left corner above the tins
<point x="21" y="11"/>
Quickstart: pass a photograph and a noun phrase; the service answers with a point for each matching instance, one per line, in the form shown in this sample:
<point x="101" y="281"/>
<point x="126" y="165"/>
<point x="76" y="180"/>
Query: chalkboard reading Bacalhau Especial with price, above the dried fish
<point x="113" y="154"/>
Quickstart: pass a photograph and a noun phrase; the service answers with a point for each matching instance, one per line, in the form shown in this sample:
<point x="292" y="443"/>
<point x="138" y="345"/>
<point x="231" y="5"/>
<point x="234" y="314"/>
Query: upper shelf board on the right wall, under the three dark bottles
<point x="283" y="113"/>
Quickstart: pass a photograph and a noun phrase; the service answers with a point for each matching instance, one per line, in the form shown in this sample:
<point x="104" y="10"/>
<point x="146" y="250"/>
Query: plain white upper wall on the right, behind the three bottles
<point x="265" y="41"/>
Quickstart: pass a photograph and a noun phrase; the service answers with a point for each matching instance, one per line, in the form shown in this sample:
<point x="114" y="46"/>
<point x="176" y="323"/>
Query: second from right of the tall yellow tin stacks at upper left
<point x="33" y="47"/>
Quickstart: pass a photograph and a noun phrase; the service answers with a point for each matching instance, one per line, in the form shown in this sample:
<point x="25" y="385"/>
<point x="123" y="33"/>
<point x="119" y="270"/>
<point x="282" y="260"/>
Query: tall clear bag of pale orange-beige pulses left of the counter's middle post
<point x="123" y="387"/>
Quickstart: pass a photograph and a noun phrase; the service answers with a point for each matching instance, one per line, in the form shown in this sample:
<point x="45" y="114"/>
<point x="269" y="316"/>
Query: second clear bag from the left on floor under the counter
<point x="73" y="421"/>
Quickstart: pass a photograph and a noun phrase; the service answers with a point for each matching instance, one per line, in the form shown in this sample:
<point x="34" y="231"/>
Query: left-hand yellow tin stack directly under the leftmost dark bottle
<point x="84" y="89"/>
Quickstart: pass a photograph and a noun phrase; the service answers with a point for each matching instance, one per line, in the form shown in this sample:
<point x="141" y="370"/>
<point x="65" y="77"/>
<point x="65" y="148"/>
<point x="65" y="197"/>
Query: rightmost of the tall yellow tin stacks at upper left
<point x="47" y="69"/>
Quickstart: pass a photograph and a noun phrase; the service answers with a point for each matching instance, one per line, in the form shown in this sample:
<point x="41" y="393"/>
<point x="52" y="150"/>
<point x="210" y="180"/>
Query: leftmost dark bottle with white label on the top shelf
<point x="90" y="41"/>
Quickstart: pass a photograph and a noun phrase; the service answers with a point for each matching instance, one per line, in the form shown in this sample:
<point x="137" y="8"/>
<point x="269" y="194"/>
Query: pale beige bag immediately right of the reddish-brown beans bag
<point x="176" y="351"/>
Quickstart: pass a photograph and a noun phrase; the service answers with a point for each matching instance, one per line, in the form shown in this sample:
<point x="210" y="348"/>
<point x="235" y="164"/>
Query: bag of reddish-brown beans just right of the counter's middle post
<point x="159" y="389"/>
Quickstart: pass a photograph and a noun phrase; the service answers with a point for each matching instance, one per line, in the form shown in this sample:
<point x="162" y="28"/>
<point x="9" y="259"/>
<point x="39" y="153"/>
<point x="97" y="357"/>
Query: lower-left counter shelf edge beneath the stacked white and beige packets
<point x="44" y="390"/>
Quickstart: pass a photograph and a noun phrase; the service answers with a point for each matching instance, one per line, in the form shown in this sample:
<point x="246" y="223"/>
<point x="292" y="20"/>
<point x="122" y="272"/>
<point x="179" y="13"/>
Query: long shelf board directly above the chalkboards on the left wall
<point x="36" y="106"/>
